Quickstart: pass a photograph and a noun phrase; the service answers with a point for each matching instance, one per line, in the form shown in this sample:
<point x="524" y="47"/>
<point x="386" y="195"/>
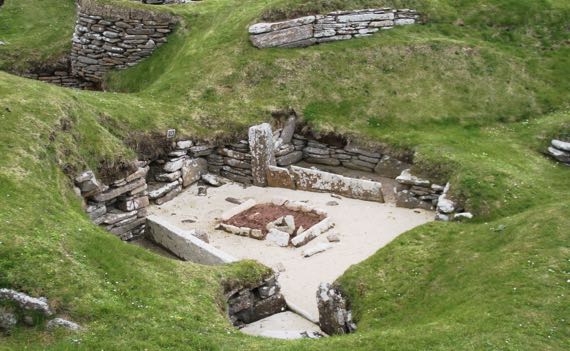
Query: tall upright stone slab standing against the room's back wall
<point x="262" y="152"/>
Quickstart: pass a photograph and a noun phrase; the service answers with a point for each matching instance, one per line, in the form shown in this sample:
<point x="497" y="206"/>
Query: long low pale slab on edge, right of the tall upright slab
<point x="315" y="180"/>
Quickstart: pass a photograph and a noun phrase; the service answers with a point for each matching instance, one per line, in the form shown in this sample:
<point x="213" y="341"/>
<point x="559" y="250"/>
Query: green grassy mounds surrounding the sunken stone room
<point x="477" y="92"/>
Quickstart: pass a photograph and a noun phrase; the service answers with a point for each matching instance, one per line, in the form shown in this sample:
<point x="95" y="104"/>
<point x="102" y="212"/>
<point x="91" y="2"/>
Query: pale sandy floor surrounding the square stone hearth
<point x="363" y="228"/>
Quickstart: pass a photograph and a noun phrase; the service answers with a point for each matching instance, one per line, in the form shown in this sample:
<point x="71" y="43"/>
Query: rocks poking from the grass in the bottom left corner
<point x="19" y="308"/>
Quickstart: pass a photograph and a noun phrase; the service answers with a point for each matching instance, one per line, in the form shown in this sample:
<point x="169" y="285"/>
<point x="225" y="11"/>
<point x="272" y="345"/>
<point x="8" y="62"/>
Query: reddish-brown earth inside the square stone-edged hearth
<point x="259" y="216"/>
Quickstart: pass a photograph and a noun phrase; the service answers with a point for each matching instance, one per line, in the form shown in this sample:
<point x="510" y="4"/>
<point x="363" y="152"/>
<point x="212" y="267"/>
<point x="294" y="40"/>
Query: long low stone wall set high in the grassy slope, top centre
<point x="339" y="25"/>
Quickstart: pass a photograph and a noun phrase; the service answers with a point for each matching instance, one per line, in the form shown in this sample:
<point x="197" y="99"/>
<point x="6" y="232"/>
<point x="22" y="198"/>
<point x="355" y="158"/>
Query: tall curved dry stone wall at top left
<point x="109" y="37"/>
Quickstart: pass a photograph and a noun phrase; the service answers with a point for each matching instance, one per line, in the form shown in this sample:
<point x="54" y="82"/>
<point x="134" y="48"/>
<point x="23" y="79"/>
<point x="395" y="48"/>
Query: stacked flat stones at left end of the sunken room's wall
<point x="119" y="207"/>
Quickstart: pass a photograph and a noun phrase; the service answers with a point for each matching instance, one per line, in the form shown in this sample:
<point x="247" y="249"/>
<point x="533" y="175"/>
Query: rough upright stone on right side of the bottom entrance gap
<point x="335" y="316"/>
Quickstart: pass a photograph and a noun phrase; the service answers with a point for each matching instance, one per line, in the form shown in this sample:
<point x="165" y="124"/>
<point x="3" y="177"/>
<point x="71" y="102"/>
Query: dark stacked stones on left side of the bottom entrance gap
<point x="252" y="304"/>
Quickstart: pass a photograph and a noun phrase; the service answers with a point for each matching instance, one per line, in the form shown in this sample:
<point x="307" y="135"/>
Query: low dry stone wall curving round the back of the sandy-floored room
<point x="268" y="158"/>
